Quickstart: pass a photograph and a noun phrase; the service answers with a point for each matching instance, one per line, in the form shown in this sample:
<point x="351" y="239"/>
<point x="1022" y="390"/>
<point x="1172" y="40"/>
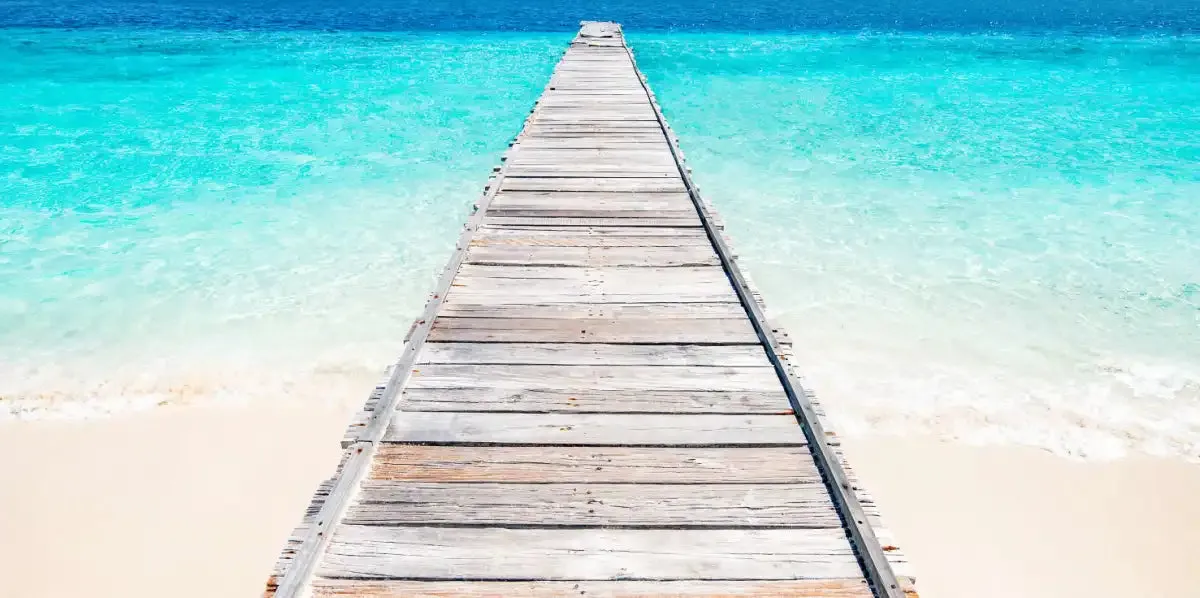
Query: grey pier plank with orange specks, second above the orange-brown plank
<point x="585" y="400"/>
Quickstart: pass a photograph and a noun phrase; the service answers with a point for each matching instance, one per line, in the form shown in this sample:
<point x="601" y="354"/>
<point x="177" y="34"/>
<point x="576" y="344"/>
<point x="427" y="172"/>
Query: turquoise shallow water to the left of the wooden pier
<point x="189" y="216"/>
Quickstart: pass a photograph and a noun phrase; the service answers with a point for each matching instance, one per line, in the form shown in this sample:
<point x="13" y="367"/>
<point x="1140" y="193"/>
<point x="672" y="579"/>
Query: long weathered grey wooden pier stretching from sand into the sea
<point x="593" y="403"/>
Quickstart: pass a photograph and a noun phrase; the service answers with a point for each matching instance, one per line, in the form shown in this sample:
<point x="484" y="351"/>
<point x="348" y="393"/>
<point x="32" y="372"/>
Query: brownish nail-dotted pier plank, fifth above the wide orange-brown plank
<point x="607" y="331"/>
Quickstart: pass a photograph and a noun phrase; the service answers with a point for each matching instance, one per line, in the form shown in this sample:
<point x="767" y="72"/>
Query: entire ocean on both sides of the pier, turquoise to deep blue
<point x="976" y="223"/>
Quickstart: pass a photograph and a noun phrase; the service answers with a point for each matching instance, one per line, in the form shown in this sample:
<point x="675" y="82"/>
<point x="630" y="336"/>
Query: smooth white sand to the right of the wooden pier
<point x="992" y="522"/>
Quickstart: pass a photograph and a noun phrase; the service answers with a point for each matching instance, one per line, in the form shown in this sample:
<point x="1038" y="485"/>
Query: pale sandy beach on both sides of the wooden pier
<point x="130" y="506"/>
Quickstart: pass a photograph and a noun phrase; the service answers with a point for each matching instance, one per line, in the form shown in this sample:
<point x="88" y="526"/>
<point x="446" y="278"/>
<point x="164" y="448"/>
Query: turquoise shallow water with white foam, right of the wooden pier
<point x="991" y="238"/>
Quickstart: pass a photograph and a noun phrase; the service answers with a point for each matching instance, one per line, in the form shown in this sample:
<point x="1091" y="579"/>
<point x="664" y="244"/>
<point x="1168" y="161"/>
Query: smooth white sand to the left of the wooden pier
<point x="193" y="500"/>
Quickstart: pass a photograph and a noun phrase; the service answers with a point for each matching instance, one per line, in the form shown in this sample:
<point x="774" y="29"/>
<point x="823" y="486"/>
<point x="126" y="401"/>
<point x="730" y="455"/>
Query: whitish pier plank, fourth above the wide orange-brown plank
<point x="595" y="355"/>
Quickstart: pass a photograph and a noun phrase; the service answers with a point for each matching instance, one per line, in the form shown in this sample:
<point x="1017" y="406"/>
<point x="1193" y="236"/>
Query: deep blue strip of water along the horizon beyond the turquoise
<point x="1111" y="16"/>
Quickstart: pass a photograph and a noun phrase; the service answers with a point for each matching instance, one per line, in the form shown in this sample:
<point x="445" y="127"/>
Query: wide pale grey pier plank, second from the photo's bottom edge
<point x="490" y="554"/>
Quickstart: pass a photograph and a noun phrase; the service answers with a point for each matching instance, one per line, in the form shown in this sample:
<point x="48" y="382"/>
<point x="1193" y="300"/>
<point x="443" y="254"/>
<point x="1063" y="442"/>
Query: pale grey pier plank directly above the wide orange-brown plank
<point x="595" y="430"/>
